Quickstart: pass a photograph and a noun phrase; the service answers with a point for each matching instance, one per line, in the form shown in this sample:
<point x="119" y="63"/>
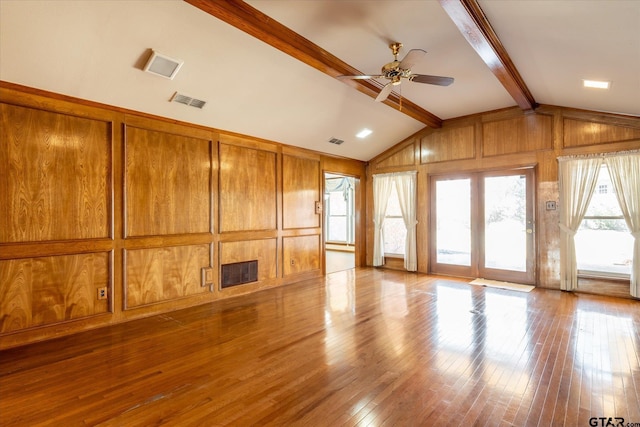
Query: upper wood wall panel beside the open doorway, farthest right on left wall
<point x="300" y="191"/>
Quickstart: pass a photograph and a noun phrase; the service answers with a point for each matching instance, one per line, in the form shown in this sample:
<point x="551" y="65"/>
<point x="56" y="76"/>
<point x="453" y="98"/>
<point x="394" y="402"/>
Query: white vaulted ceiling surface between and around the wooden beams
<point x="95" y="50"/>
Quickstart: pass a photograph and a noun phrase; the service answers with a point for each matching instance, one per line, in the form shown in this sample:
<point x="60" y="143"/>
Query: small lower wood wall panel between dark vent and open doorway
<point x="301" y="254"/>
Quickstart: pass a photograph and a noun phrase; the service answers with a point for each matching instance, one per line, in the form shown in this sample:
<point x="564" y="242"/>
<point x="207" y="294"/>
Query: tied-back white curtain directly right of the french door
<point x="577" y="178"/>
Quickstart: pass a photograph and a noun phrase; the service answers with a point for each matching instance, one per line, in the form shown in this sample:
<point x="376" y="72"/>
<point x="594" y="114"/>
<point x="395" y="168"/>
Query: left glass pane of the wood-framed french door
<point x="453" y="221"/>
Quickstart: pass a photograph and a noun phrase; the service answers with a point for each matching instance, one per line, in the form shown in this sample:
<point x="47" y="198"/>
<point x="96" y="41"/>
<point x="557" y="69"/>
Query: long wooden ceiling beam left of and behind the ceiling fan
<point x="255" y="23"/>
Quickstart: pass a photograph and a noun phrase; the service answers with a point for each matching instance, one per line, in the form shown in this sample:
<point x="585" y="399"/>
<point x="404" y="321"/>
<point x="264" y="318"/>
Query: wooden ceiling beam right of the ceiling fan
<point x="475" y="27"/>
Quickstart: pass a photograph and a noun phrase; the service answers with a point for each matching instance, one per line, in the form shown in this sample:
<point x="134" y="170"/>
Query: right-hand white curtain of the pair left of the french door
<point x="406" y="188"/>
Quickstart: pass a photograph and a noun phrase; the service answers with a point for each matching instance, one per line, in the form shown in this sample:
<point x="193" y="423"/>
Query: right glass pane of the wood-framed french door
<point x="505" y="222"/>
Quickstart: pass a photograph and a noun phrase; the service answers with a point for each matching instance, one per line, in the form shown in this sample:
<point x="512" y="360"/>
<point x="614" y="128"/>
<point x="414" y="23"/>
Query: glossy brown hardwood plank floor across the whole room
<point x="358" y="347"/>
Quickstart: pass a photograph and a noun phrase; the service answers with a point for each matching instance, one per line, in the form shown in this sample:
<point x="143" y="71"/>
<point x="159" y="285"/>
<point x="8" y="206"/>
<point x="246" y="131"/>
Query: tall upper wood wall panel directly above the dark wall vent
<point x="247" y="189"/>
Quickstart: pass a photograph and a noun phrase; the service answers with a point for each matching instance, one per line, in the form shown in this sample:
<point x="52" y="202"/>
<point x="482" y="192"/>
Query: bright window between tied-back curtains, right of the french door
<point x="604" y="245"/>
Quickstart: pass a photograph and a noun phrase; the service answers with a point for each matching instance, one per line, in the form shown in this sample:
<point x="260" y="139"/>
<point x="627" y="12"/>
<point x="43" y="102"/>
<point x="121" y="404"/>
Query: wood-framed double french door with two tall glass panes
<point x="482" y="225"/>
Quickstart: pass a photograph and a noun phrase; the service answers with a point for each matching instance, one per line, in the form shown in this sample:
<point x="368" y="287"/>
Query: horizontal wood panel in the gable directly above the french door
<point x="533" y="132"/>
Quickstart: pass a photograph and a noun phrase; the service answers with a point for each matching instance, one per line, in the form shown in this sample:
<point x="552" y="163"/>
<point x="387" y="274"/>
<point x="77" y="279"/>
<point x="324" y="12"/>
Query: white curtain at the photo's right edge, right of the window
<point x="625" y="176"/>
